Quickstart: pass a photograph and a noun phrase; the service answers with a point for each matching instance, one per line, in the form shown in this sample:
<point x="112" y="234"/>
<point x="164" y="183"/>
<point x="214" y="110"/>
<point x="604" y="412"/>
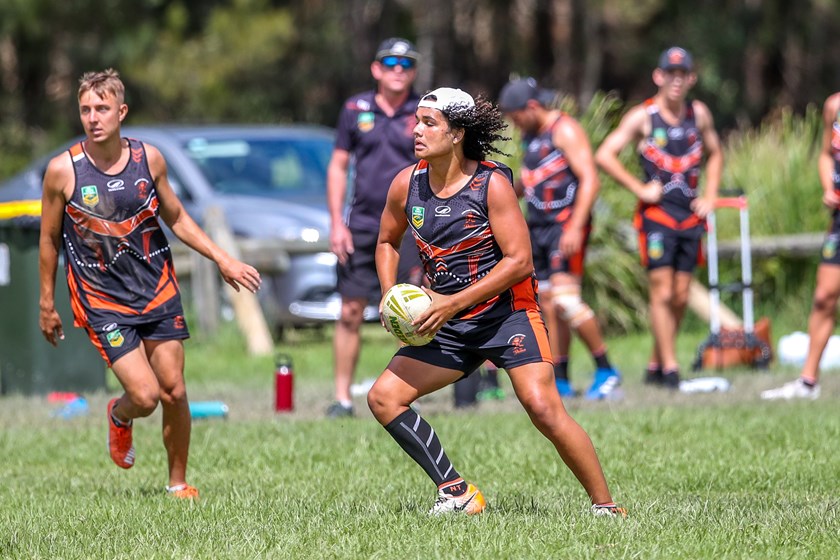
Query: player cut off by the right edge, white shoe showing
<point x="823" y="315"/>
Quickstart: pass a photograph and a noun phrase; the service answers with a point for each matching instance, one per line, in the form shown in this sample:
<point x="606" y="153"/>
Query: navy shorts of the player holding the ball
<point x="513" y="340"/>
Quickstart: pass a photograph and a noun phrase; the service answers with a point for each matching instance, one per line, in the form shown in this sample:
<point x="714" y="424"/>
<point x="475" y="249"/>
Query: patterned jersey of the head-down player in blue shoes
<point x="550" y="185"/>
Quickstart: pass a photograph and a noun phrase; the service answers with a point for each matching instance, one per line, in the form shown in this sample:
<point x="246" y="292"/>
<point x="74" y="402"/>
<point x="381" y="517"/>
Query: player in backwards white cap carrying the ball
<point x="465" y="218"/>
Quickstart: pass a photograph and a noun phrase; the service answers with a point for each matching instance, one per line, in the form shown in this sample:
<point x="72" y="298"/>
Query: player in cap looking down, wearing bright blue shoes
<point x="559" y="182"/>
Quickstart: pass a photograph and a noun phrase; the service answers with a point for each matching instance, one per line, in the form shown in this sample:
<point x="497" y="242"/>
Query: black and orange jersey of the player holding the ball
<point x="456" y="244"/>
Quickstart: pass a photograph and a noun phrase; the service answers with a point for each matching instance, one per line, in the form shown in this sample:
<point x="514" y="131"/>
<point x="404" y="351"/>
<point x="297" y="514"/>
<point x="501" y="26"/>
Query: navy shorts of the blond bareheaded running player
<point x="116" y="339"/>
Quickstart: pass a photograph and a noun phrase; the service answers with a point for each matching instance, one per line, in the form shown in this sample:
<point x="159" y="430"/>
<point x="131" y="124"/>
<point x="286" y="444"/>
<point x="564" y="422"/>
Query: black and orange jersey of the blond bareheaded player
<point x="118" y="261"/>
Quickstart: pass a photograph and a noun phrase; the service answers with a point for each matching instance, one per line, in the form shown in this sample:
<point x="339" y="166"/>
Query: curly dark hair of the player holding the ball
<point x="482" y="124"/>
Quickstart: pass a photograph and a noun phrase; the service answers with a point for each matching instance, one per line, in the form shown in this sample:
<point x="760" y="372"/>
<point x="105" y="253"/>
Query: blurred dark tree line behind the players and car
<point x="269" y="61"/>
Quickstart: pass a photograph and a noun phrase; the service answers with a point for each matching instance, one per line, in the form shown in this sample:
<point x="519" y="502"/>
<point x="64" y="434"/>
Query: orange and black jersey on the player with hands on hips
<point x="672" y="155"/>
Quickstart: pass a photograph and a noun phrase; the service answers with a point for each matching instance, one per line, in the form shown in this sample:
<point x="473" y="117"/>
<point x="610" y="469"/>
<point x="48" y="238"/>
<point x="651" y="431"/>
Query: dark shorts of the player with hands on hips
<point x="661" y="246"/>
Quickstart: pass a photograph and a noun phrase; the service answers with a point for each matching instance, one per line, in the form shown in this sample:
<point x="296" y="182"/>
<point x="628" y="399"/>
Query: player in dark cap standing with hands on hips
<point x="672" y="135"/>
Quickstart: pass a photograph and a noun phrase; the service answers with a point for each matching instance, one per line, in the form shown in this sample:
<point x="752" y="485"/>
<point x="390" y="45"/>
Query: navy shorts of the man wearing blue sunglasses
<point x="357" y="278"/>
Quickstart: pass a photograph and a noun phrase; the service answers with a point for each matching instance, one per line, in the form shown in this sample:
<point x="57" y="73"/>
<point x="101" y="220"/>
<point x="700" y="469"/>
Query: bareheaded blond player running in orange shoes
<point x="101" y="201"/>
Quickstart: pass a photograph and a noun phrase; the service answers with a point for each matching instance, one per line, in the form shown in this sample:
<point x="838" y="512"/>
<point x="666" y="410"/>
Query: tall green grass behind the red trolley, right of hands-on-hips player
<point x="776" y="166"/>
